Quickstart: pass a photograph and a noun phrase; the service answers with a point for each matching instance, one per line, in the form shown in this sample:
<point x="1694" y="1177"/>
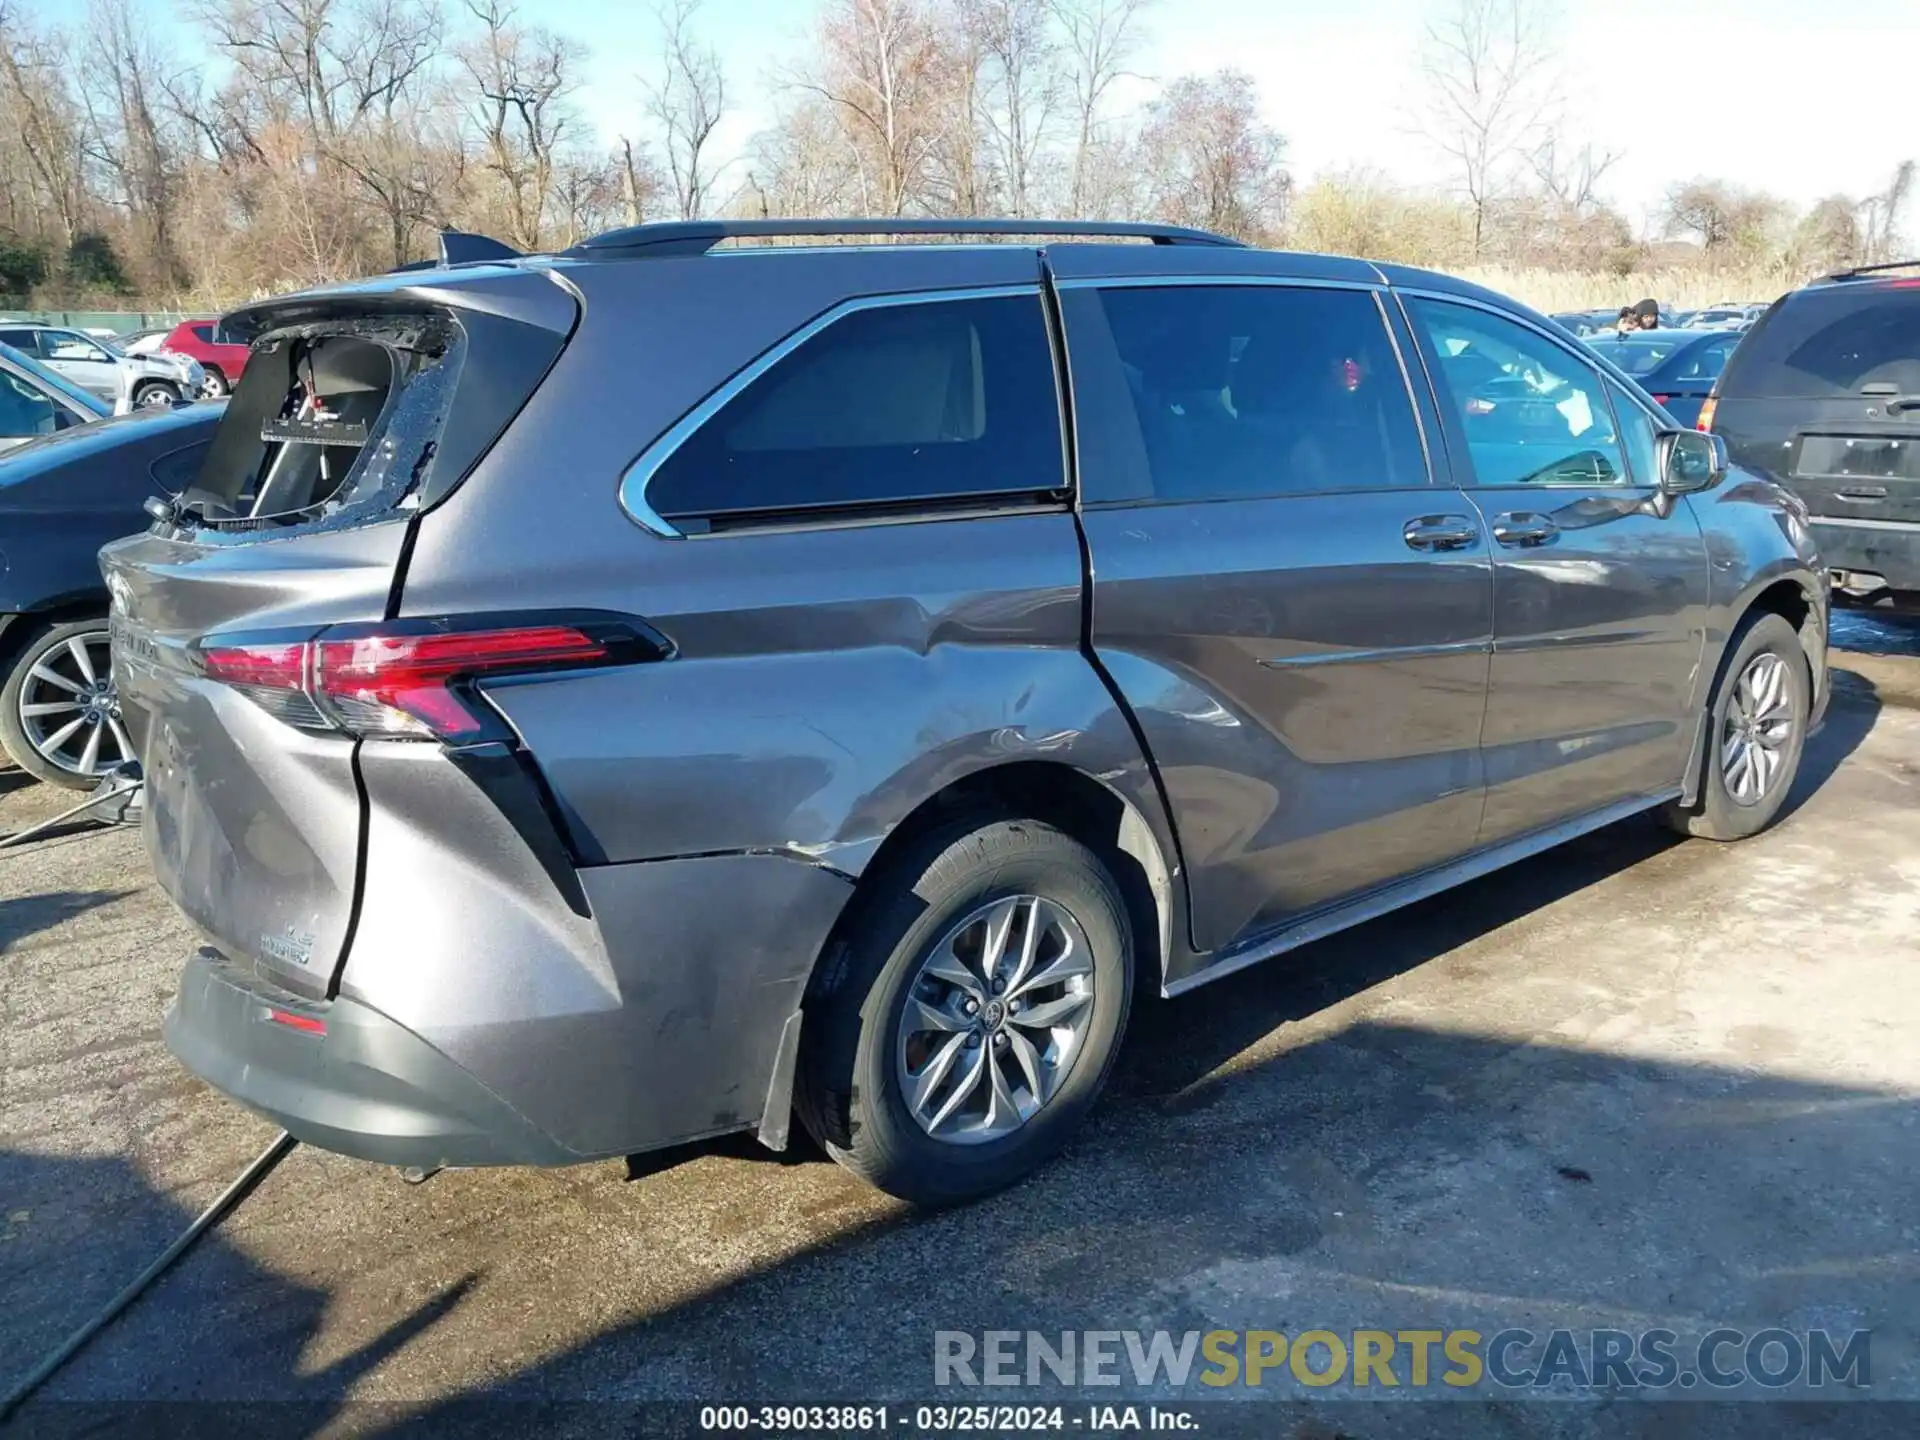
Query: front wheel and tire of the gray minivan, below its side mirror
<point x="1756" y="731"/>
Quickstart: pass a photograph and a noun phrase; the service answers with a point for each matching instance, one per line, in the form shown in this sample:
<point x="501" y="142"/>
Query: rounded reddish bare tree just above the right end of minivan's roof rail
<point x="1211" y="162"/>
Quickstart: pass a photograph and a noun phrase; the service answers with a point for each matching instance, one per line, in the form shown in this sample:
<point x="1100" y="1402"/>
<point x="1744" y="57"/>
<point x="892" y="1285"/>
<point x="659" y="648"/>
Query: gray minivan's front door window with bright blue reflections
<point x="1529" y="410"/>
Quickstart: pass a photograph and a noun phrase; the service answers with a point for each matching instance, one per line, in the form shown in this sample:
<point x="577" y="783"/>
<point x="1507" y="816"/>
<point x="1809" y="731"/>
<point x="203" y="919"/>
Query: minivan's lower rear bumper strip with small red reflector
<point x="366" y="1086"/>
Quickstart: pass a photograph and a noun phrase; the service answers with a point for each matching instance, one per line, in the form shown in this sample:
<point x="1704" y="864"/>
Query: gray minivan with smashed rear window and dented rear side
<point x="604" y="700"/>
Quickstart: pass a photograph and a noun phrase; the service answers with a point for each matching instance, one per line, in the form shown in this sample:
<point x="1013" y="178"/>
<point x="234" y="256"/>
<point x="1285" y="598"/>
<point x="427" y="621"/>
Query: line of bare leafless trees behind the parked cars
<point x="331" y="139"/>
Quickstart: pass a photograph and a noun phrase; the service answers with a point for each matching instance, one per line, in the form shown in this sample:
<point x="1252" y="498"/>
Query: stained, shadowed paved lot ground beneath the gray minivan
<point x="1631" y="1084"/>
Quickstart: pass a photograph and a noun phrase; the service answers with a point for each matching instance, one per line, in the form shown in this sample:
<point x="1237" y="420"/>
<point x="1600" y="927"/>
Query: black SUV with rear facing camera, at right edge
<point x="1825" y="398"/>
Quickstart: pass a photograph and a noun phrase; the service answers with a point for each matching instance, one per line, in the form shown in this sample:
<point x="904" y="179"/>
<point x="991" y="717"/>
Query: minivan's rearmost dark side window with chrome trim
<point x="930" y="402"/>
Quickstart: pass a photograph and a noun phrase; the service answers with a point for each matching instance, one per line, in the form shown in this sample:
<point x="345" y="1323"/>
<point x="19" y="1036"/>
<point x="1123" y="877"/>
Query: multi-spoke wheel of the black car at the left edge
<point x="59" y="708"/>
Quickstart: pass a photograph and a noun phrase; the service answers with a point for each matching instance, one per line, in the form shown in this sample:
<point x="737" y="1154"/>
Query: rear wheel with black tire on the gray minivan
<point x="971" y="1011"/>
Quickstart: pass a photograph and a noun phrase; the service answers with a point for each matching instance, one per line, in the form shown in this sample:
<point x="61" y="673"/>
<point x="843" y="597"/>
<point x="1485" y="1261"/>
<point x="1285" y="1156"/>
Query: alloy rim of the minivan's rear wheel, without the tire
<point x="996" y="1020"/>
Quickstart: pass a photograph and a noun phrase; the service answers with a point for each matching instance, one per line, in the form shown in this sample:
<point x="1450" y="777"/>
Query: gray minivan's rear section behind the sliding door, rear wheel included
<point x="564" y="679"/>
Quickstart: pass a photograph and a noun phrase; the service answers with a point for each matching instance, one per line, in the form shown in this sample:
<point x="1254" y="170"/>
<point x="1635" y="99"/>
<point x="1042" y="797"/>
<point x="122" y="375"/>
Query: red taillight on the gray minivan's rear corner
<point x="410" y="681"/>
